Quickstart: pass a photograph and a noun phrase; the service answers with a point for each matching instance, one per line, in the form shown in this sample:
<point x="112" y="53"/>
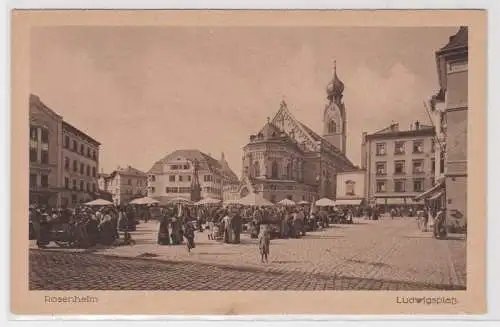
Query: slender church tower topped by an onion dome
<point x="334" y="117"/>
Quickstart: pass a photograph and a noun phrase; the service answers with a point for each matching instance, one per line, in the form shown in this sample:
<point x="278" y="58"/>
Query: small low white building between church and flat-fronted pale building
<point x="350" y="187"/>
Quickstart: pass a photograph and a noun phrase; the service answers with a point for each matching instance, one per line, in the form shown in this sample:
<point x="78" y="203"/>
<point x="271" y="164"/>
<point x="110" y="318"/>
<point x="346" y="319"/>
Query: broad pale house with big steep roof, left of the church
<point x="173" y="176"/>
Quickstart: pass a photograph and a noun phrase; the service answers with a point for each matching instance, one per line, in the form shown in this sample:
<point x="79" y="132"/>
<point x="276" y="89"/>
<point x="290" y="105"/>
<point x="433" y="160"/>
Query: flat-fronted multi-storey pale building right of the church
<point x="399" y="164"/>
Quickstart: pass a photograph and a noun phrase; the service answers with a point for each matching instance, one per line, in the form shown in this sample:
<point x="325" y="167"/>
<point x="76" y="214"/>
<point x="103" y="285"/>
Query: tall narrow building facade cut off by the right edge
<point x="452" y="67"/>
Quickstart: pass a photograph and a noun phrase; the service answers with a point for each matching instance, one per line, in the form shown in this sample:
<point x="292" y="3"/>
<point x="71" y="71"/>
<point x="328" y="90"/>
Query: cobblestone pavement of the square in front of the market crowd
<point x="370" y="255"/>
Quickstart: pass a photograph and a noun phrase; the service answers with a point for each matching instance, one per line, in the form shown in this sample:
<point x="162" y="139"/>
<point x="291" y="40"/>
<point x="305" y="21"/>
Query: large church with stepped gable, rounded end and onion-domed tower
<point x="287" y="159"/>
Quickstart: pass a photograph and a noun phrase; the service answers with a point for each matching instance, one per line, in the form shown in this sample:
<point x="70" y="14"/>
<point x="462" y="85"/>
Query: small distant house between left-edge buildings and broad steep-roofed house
<point x="124" y="184"/>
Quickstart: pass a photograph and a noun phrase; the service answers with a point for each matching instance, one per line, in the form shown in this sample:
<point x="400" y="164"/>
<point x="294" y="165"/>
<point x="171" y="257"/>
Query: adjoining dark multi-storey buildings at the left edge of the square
<point x="63" y="160"/>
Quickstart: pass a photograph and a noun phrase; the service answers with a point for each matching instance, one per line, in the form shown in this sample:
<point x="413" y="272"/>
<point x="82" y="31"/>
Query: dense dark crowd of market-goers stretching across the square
<point x="86" y="226"/>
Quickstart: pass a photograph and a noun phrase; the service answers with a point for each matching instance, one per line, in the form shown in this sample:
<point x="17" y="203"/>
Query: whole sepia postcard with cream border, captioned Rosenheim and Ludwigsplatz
<point x="248" y="162"/>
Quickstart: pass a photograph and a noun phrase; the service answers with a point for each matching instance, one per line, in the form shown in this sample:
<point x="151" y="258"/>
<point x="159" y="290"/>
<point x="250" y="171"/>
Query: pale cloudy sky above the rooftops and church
<point x="144" y="92"/>
